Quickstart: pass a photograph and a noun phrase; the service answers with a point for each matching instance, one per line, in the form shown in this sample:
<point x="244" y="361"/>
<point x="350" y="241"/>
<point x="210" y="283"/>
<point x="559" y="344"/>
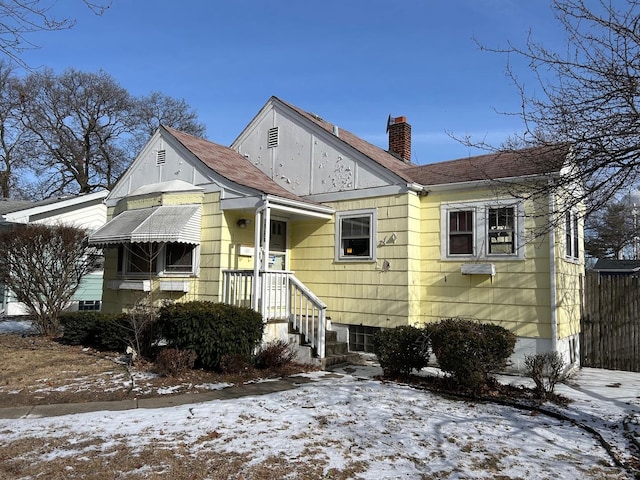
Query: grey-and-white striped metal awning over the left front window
<point x="167" y="223"/>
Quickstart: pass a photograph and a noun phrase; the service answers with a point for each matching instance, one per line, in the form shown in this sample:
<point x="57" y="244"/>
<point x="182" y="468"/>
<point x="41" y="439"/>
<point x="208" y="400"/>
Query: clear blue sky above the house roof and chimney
<point x="353" y="62"/>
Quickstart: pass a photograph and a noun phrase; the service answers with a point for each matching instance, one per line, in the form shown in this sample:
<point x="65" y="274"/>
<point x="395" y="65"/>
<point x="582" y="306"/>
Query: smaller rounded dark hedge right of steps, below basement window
<point x="401" y="349"/>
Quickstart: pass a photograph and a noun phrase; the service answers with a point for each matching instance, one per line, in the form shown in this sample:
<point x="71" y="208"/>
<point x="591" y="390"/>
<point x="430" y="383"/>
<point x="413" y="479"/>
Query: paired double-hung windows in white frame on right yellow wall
<point x="490" y="230"/>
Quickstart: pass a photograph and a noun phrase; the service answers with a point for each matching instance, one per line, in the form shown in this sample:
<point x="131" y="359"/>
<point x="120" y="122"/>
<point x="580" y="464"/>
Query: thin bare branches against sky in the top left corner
<point x="21" y="18"/>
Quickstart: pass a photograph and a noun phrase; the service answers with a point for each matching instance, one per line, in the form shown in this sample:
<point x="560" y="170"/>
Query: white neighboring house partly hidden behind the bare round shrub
<point x="86" y="211"/>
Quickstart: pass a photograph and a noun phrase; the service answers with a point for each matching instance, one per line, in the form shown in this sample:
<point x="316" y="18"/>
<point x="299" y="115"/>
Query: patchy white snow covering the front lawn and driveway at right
<point x="396" y="431"/>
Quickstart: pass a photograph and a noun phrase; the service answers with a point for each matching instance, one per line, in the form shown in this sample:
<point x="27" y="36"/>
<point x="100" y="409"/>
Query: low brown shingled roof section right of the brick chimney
<point x="495" y="166"/>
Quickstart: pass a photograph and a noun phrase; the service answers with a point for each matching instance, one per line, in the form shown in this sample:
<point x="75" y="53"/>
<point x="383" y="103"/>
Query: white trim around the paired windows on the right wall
<point x="480" y="211"/>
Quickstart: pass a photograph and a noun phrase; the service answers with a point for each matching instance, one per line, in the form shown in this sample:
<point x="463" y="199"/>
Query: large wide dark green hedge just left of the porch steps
<point x="211" y="330"/>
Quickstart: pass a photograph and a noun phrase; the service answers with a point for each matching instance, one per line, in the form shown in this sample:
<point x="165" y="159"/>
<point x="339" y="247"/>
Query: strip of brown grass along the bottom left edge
<point x="179" y="461"/>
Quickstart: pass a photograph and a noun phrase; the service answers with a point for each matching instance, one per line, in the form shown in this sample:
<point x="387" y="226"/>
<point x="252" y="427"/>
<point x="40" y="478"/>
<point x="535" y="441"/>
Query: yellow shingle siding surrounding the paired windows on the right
<point x="517" y="297"/>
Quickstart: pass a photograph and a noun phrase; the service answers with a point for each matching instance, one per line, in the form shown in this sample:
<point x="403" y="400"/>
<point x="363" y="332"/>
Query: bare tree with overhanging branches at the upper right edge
<point x="587" y="97"/>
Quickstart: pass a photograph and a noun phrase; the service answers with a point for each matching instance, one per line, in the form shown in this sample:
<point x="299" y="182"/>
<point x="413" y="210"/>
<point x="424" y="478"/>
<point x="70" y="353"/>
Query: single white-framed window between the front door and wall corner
<point x="355" y="234"/>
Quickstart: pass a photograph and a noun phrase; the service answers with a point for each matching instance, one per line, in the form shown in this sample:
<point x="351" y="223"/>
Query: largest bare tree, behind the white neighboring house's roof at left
<point x="78" y="122"/>
